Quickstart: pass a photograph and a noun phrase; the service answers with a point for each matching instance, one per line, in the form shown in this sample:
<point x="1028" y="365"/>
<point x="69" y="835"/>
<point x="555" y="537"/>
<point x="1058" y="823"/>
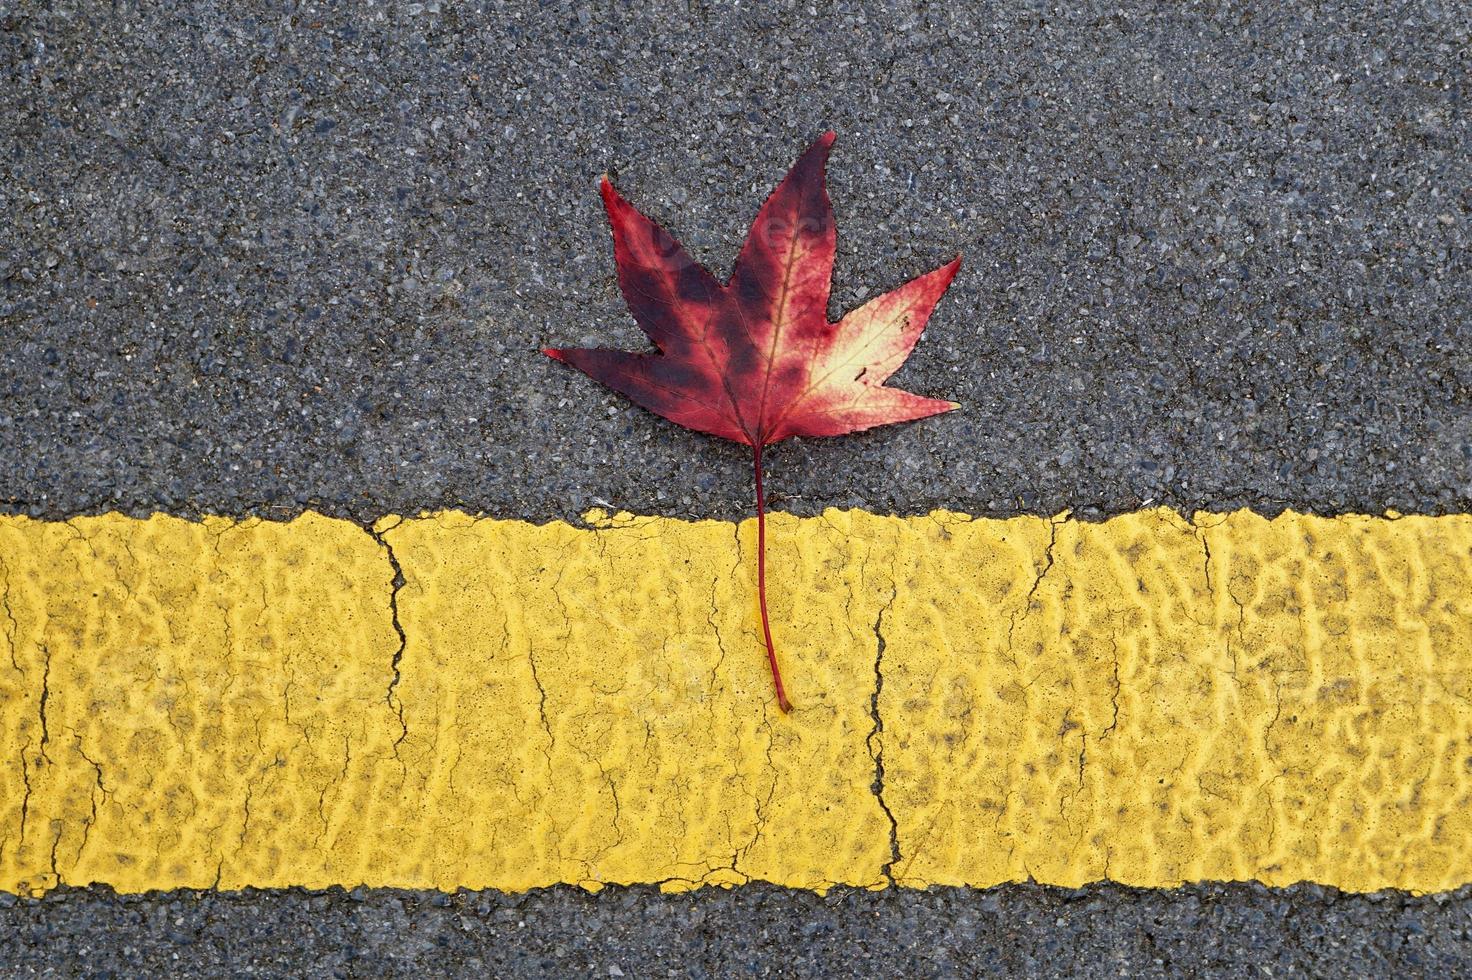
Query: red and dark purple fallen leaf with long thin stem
<point x="756" y="360"/>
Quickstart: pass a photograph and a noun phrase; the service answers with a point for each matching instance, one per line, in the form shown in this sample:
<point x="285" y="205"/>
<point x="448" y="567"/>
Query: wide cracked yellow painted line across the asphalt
<point x="1149" y="700"/>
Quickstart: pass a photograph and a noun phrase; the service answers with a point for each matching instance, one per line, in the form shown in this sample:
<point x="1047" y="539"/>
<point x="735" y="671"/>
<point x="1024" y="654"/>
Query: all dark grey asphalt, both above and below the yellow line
<point x="263" y="258"/>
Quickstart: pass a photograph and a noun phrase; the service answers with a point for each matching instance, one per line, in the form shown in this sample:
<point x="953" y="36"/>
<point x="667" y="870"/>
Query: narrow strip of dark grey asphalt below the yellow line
<point x="759" y="931"/>
